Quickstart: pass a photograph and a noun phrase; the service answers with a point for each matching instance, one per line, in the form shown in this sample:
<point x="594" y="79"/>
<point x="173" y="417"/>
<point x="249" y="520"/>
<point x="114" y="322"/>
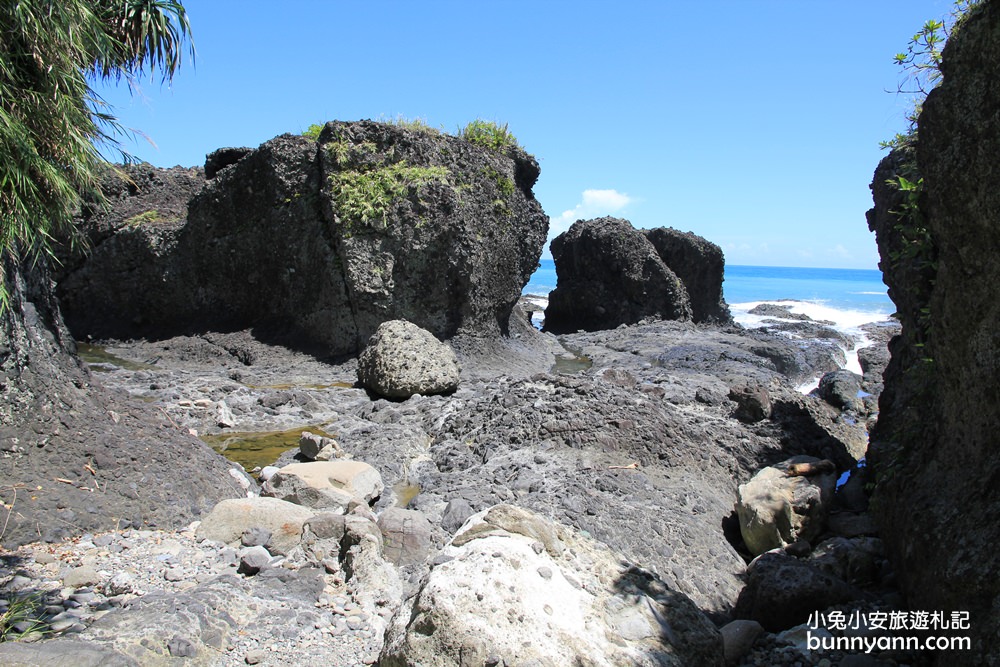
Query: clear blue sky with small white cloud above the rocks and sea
<point x="754" y="123"/>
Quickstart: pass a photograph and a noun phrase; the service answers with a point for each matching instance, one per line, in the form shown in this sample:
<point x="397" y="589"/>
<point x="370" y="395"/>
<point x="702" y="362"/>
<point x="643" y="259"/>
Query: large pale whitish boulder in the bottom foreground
<point x="576" y="600"/>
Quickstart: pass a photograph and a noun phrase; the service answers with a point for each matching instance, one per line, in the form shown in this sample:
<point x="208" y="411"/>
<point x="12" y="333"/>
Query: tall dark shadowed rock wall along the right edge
<point x="935" y="445"/>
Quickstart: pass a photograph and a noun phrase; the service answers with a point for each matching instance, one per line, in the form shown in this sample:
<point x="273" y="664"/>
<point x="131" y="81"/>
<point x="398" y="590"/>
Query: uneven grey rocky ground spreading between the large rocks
<point x="640" y="446"/>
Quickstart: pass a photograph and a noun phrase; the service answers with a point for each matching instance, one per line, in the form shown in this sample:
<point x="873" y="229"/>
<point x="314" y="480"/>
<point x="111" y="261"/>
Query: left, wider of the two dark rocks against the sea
<point x="610" y="274"/>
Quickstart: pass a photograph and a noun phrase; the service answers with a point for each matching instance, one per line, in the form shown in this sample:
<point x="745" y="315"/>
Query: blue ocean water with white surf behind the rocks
<point x="850" y="298"/>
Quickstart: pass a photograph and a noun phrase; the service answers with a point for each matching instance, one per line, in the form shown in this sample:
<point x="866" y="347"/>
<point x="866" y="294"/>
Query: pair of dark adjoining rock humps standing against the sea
<point x="610" y="274"/>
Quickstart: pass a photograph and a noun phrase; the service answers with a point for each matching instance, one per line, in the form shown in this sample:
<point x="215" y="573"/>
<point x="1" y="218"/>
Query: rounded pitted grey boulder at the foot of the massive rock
<point x="402" y="359"/>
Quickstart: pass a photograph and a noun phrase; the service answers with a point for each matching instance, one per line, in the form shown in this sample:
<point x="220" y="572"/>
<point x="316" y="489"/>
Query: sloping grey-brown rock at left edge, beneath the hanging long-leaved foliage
<point x="76" y="457"/>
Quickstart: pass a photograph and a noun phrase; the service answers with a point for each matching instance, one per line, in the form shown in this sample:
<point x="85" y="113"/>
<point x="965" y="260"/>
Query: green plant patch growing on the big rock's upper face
<point x="364" y="189"/>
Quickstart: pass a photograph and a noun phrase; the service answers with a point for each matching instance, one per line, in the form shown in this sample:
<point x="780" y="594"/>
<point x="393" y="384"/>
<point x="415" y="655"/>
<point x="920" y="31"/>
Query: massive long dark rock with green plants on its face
<point x="317" y="242"/>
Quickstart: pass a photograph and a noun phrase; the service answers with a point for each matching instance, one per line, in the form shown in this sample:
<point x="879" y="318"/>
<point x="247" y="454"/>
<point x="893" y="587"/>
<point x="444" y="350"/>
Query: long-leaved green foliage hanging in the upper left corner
<point x="52" y="123"/>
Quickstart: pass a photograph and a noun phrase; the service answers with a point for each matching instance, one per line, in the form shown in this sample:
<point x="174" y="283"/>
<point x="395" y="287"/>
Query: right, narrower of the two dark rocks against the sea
<point x="701" y="267"/>
